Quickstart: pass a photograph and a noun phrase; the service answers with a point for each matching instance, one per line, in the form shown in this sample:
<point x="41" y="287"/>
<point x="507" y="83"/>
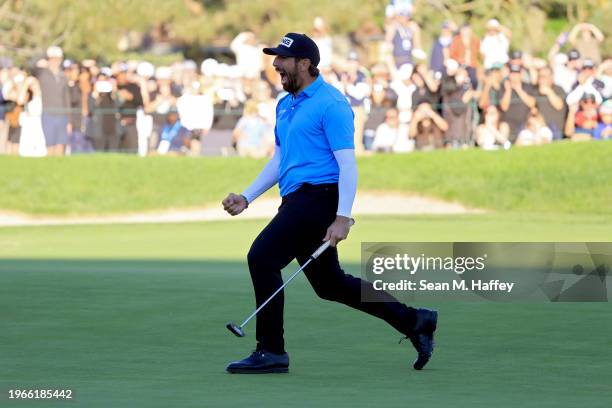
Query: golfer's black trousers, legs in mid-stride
<point x="297" y="231"/>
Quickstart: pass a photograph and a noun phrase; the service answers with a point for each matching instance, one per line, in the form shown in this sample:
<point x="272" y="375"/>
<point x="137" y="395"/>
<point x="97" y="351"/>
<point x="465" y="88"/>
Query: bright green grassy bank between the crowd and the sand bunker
<point x="561" y="178"/>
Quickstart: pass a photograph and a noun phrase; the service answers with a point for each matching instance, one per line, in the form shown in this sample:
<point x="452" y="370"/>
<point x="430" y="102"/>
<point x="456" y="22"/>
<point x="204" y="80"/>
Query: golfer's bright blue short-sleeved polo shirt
<point x="309" y="128"/>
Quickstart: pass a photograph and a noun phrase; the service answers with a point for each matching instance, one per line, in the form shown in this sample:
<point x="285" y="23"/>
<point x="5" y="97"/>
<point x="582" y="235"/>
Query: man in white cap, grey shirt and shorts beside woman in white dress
<point x="55" y="101"/>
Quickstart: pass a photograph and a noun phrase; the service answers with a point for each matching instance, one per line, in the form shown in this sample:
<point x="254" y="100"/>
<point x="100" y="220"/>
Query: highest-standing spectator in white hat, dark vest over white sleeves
<point x="404" y="36"/>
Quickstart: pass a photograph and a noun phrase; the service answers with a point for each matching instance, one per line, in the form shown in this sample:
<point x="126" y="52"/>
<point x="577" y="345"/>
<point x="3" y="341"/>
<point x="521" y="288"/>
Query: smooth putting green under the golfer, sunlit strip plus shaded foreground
<point x="134" y="316"/>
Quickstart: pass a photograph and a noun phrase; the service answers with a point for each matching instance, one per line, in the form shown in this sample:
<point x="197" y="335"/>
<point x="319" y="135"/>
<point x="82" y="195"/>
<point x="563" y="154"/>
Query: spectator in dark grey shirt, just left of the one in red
<point x="550" y="102"/>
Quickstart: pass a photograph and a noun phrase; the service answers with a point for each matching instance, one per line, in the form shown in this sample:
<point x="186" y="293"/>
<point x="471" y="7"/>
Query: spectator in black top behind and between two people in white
<point x="517" y="101"/>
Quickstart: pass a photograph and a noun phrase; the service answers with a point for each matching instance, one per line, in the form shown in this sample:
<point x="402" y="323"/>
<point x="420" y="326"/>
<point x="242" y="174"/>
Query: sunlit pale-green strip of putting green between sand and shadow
<point x="231" y="240"/>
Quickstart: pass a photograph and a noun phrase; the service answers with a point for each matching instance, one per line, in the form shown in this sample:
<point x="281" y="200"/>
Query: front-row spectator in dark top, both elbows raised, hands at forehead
<point x="427" y="128"/>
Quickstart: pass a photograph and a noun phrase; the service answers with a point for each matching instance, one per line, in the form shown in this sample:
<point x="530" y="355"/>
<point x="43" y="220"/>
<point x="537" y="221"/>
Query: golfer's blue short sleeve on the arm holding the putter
<point x="338" y="126"/>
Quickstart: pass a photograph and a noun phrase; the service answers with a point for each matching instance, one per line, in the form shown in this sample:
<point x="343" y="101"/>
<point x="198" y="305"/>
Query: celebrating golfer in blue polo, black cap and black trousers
<point x="314" y="165"/>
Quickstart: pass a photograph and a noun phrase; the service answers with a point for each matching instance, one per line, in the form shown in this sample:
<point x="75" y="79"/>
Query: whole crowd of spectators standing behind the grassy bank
<point x="468" y="91"/>
